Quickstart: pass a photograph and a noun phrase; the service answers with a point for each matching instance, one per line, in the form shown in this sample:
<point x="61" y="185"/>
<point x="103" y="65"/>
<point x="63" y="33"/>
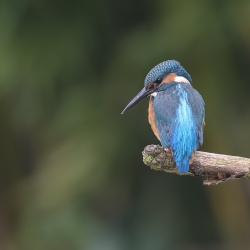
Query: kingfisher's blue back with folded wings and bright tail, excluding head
<point x="179" y="112"/>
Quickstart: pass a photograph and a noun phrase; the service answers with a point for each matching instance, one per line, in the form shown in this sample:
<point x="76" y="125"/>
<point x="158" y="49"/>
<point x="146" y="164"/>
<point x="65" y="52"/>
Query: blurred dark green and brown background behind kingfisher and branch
<point x="71" y="171"/>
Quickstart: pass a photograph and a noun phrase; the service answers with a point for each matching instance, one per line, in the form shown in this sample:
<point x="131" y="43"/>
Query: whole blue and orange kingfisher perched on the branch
<point x="176" y="111"/>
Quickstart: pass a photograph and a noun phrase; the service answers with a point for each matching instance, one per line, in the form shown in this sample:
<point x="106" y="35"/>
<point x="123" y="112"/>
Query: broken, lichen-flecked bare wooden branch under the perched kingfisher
<point x="216" y="167"/>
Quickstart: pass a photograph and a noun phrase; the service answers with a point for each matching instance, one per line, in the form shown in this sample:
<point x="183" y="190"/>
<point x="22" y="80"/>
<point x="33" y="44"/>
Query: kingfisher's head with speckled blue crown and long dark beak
<point x="159" y="78"/>
